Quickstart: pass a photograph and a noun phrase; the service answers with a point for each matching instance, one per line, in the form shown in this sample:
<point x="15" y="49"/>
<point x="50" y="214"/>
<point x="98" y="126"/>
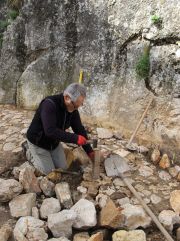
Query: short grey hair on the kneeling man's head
<point x="75" y="90"/>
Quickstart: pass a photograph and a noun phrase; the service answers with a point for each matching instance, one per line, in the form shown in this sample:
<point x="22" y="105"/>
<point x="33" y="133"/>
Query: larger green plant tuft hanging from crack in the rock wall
<point x="143" y="64"/>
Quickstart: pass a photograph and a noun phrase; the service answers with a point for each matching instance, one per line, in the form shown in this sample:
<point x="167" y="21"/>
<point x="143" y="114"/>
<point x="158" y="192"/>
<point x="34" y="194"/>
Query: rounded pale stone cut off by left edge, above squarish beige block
<point x="9" y="189"/>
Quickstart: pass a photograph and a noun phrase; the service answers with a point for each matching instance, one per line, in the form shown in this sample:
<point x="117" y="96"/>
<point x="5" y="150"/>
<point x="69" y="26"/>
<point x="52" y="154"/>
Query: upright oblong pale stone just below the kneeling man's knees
<point x="63" y="194"/>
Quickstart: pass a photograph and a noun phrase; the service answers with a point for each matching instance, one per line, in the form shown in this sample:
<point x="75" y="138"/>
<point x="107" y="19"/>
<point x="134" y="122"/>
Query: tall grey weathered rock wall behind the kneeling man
<point x="41" y="53"/>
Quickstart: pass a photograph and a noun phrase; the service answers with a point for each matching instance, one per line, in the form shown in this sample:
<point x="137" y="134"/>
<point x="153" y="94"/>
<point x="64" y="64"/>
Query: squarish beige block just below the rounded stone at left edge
<point x="21" y="205"/>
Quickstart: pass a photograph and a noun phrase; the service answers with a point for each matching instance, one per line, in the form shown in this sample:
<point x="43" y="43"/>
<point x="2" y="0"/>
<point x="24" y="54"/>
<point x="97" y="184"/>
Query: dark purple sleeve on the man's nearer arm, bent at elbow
<point x="49" y="121"/>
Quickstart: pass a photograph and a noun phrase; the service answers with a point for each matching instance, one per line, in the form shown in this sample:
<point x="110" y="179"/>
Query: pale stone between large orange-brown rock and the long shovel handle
<point x="135" y="216"/>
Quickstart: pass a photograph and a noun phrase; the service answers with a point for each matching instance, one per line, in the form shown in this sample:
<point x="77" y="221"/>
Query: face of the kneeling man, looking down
<point x="73" y="105"/>
